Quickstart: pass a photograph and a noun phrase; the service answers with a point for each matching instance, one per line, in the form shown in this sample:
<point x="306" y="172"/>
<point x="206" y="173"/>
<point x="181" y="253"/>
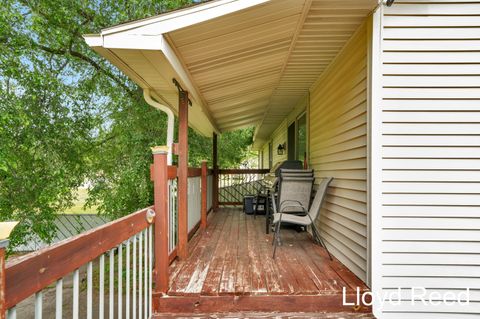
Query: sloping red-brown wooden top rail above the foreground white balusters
<point x="33" y="272"/>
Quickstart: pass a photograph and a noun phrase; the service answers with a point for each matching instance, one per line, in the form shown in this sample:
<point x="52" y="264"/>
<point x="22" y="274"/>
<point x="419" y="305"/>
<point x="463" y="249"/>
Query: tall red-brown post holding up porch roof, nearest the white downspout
<point x="182" y="174"/>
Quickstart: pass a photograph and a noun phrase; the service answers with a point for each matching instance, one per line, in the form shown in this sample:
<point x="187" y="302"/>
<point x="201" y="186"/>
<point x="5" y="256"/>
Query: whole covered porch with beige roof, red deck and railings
<point x="221" y="66"/>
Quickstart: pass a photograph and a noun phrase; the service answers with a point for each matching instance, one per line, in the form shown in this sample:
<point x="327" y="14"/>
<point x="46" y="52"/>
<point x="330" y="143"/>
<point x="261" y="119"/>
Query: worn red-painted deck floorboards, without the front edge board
<point x="234" y="257"/>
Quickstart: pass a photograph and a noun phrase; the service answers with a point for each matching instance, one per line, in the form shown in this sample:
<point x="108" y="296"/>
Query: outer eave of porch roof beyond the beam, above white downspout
<point x="150" y="62"/>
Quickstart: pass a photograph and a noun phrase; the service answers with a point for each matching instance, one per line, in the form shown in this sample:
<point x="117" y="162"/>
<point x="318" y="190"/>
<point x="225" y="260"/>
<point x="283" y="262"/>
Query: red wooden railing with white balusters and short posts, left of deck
<point x="118" y="241"/>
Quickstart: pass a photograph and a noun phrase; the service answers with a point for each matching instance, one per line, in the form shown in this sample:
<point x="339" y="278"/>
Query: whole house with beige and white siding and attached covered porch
<point x="383" y="96"/>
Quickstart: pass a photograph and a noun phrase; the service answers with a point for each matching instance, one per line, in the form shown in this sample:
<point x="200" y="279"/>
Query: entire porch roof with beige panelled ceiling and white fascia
<point x="244" y="62"/>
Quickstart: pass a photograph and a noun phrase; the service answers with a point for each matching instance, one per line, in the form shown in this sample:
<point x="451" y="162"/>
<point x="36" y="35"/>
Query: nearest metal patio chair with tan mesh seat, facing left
<point x="307" y="220"/>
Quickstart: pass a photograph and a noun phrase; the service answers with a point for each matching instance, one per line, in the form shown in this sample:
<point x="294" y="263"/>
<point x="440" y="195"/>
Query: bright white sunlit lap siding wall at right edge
<point x="431" y="154"/>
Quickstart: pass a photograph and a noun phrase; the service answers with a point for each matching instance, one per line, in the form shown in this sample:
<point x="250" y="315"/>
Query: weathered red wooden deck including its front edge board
<point x="230" y="268"/>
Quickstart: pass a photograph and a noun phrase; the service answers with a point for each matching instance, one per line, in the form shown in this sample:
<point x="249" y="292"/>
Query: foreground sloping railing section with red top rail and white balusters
<point x="32" y="273"/>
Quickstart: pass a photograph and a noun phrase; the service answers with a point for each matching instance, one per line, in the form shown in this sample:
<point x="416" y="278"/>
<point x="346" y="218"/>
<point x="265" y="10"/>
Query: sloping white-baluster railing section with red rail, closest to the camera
<point x="115" y="282"/>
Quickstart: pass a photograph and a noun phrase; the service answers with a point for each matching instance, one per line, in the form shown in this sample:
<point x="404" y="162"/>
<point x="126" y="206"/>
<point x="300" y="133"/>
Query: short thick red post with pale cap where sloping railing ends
<point x="160" y="194"/>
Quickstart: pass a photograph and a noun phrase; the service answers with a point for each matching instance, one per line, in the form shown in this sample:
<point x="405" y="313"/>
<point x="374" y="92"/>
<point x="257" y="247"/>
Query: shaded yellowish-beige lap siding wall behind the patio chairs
<point x="338" y="139"/>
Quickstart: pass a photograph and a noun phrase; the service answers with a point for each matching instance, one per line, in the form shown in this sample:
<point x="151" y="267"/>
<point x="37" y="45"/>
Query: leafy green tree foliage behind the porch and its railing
<point x="67" y="116"/>
